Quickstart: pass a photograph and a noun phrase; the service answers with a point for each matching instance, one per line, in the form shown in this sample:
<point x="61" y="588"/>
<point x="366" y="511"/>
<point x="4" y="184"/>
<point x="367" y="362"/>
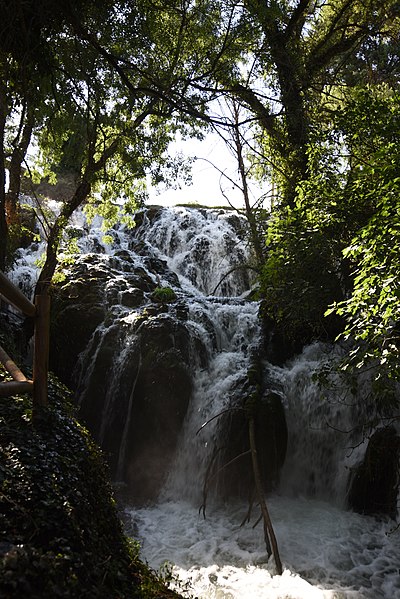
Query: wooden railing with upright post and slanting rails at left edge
<point x="40" y="312"/>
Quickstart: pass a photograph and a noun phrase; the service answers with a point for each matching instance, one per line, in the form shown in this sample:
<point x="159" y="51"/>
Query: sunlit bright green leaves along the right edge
<point x="372" y="310"/>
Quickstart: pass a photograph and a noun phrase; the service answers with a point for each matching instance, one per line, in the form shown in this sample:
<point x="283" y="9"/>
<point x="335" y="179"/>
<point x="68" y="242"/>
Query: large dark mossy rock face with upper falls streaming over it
<point x="130" y="340"/>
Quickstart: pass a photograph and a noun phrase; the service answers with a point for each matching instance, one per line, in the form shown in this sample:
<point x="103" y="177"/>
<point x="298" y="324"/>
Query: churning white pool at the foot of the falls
<point x="326" y="552"/>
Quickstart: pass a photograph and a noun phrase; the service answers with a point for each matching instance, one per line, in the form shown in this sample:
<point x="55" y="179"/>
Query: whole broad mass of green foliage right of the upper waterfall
<point x="339" y="242"/>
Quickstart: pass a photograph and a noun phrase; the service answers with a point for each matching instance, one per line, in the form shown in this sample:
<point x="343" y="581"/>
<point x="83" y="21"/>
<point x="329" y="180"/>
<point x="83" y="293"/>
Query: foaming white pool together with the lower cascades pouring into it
<point x="327" y="552"/>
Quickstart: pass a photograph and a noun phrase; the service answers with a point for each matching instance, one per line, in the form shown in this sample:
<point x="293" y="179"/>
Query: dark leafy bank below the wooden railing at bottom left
<point x="60" y="535"/>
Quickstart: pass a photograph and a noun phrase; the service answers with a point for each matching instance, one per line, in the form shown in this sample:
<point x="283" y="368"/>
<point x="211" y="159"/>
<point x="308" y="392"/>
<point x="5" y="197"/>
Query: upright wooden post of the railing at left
<point x="41" y="350"/>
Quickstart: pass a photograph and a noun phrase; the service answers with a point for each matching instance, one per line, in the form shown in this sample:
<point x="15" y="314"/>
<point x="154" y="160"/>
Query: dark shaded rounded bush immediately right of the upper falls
<point x="299" y="278"/>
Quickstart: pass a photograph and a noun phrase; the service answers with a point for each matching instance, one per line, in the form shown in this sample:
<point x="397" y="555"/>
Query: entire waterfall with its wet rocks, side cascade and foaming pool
<point x="210" y="336"/>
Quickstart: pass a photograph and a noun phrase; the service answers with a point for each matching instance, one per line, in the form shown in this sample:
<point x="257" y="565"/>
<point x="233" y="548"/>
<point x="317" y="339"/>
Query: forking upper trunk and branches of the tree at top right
<point x="293" y="52"/>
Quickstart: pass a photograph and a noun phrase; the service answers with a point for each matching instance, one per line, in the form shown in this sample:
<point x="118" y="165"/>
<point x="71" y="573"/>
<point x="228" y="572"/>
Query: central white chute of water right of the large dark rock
<point x="236" y="329"/>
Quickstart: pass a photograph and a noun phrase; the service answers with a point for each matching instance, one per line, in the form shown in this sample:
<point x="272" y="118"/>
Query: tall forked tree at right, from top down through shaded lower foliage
<point x="303" y="63"/>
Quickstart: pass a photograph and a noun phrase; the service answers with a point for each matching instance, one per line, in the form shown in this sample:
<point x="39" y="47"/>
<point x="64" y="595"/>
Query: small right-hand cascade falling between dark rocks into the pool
<point x="325" y="433"/>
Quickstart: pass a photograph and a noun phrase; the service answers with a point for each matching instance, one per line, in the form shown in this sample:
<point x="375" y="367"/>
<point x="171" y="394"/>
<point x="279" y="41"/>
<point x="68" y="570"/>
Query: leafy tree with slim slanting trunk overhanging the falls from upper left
<point x="117" y="91"/>
